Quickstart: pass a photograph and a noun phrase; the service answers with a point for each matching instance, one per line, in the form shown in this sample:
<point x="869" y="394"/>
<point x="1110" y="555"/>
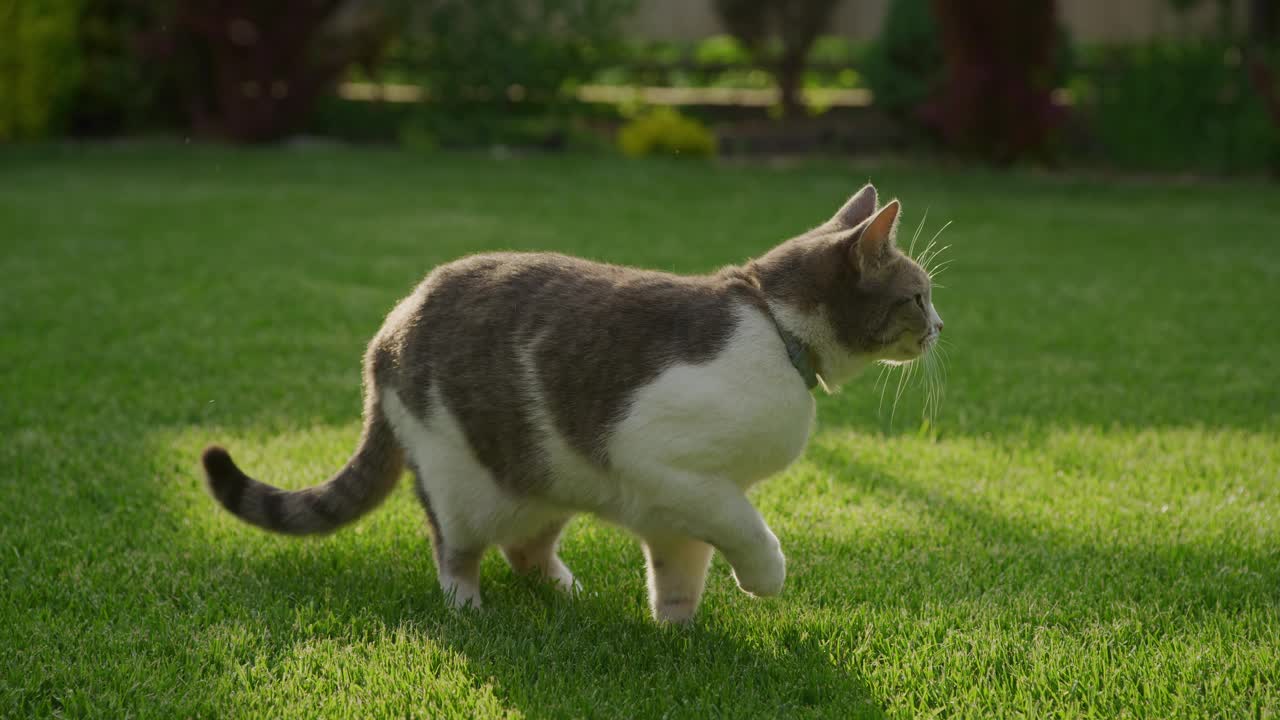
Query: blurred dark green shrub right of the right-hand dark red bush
<point x="1181" y="107"/>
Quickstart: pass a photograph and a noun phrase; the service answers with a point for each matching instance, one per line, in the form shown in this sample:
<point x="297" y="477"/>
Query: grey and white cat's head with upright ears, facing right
<point x="848" y="290"/>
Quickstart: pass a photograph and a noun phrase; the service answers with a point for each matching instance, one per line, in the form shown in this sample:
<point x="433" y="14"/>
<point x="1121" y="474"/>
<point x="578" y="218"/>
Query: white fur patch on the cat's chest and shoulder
<point x="743" y="417"/>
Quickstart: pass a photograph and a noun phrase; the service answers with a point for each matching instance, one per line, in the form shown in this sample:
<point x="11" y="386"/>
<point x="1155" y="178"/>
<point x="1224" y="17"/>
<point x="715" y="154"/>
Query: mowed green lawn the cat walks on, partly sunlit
<point x="1090" y="528"/>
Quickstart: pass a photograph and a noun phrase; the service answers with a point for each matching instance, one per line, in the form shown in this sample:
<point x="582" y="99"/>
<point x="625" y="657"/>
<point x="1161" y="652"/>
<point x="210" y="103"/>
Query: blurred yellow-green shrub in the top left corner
<point x="39" y="66"/>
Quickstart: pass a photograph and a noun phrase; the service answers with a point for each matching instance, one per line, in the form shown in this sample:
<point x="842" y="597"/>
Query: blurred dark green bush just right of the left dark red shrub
<point x="502" y="71"/>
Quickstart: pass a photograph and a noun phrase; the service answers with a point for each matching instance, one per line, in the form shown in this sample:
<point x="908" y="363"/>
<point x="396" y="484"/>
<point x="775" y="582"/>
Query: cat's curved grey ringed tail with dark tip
<point x="358" y="489"/>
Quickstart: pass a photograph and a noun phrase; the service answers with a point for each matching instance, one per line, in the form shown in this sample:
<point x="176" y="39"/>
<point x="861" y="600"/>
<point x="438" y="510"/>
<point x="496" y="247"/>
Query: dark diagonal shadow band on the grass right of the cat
<point x="984" y="555"/>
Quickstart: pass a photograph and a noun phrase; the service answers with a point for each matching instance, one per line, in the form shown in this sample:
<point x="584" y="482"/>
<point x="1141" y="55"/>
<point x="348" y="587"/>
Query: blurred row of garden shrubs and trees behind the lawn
<point x="504" y="72"/>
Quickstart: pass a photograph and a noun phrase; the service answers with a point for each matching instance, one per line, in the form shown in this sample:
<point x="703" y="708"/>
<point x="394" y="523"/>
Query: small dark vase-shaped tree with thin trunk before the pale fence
<point x="779" y="35"/>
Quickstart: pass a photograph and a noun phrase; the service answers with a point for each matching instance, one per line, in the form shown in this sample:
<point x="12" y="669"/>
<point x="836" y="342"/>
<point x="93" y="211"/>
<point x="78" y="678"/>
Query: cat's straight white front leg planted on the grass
<point x="678" y="575"/>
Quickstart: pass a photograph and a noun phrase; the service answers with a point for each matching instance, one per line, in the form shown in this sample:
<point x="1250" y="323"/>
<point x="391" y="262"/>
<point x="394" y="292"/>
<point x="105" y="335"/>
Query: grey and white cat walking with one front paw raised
<point x="524" y="389"/>
